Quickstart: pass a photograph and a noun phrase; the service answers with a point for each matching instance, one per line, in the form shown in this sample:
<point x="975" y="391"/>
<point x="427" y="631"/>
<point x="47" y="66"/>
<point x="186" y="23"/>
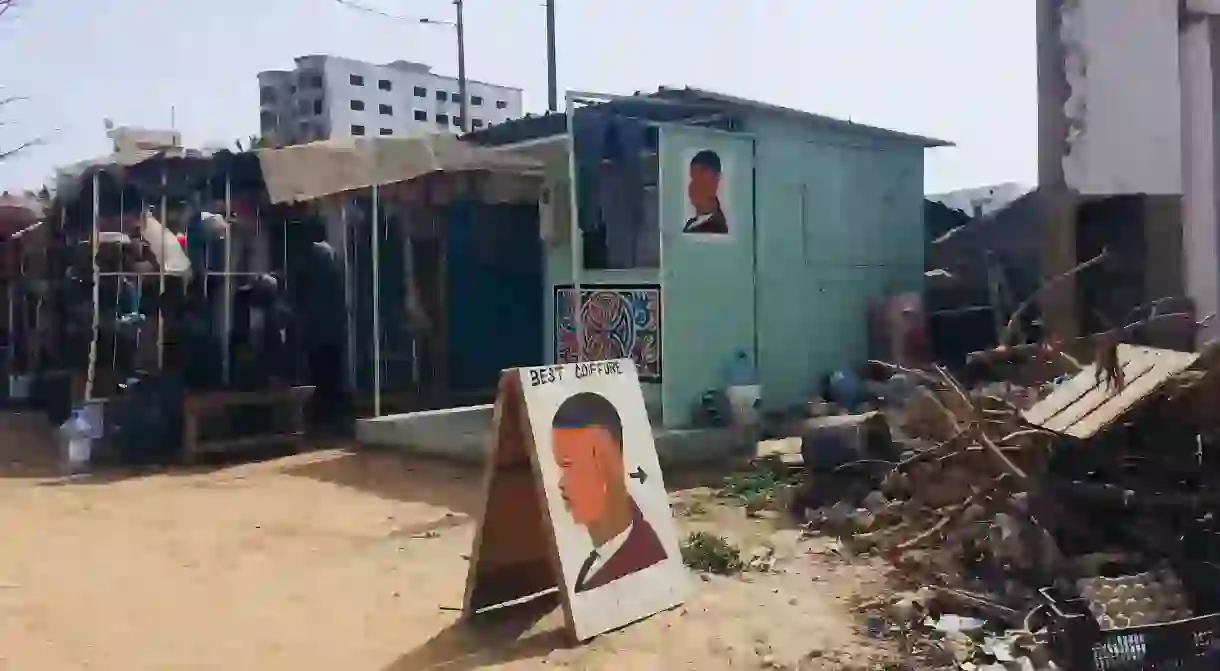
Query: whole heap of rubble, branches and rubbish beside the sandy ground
<point x="989" y="518"/>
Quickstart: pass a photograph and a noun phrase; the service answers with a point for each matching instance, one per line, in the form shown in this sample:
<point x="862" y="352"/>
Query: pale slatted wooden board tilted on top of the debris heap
<point x="1082" y="408"/>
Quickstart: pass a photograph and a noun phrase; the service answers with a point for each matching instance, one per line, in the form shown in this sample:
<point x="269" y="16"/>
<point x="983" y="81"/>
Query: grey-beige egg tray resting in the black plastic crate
<point x="1149" y="598"/>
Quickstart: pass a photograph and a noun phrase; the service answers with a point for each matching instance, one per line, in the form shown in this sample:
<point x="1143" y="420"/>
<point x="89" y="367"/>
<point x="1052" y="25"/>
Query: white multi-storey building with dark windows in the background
<point x="329" y="97"/>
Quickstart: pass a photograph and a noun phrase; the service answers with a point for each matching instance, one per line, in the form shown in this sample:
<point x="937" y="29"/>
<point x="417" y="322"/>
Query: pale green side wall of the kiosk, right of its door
<point x="840" y="225"/>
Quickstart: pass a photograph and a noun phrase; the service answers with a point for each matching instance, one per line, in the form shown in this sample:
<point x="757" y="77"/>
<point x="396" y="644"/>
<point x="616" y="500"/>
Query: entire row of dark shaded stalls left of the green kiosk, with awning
<point x="203" y="301"/>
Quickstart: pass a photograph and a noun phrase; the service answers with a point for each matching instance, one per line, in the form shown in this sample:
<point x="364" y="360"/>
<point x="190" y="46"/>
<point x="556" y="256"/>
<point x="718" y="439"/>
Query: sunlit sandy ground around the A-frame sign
<point x="357" y="561"/>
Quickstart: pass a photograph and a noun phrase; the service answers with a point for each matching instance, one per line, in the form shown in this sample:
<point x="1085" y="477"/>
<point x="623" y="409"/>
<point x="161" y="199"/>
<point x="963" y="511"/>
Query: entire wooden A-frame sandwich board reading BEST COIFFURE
<point x="576" y="501"/>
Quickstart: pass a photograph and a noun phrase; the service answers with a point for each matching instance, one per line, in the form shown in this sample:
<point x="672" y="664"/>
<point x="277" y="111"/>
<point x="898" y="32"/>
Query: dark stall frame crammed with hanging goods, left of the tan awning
<point x="165" y="260"/>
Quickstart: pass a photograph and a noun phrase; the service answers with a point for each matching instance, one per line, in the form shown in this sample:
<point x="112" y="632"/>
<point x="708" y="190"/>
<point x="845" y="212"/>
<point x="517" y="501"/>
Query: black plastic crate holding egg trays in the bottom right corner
<point x="1191" y="645"/>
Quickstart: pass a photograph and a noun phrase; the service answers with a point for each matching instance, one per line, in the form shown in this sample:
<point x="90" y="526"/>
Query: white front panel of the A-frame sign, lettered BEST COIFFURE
<point x="611" y="513"/>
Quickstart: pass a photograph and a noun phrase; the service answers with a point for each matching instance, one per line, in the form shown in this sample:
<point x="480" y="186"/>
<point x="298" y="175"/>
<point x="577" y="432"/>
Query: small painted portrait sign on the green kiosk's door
<point x="708" y="213"/>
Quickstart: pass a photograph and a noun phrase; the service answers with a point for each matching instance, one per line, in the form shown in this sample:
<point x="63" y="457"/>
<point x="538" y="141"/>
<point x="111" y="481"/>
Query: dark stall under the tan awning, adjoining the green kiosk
<point x="412" y="204"/>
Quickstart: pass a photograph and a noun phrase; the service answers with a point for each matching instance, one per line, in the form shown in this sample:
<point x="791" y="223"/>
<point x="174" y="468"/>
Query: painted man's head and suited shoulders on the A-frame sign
<point x="587" y="443"/>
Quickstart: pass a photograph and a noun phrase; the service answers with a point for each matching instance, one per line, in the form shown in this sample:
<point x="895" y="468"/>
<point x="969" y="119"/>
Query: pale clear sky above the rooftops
<point x="960" y="70"/>
